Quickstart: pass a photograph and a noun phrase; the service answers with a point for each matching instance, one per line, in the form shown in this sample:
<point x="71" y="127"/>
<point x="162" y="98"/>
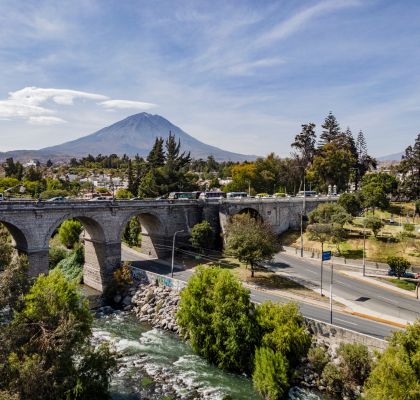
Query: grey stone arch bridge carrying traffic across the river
<point x="32" y="225"/>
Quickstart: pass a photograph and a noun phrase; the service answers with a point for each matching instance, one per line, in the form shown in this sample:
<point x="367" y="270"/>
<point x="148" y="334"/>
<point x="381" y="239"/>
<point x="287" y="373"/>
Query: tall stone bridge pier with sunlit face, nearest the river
<point x="101" y="260"/>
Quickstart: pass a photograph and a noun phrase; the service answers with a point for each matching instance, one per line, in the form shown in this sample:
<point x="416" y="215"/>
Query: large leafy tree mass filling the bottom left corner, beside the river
<point x="47" y="352"/>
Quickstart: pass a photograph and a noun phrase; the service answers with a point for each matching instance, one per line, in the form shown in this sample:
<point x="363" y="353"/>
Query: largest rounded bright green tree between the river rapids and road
<point x="217" y="316"/>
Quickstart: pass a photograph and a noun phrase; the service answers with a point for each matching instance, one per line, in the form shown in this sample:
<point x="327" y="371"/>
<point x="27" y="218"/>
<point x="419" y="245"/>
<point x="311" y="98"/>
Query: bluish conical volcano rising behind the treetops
<point x="136" y="134"/>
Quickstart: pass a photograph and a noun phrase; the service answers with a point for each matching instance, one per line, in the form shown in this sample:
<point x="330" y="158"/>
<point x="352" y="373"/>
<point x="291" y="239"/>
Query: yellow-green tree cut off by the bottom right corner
<point x="396" y="375"/>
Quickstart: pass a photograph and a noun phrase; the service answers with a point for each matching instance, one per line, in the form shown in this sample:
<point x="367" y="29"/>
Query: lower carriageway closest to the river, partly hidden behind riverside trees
<point x="361" y="325"/>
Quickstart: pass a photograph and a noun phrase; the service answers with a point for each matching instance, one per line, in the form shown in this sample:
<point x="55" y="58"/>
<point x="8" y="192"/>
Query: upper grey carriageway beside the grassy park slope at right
<point x="358" y="292"/>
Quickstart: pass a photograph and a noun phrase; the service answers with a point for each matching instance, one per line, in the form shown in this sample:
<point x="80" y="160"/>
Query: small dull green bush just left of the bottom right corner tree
<point x="355" y="362"/>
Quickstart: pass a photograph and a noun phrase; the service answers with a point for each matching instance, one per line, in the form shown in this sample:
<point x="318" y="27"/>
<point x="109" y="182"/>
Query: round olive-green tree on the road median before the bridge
<point x="250" y="240"/>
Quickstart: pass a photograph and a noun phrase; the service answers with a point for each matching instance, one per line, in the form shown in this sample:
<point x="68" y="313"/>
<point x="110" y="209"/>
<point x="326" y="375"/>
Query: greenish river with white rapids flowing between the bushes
<point x="162" y="356"/>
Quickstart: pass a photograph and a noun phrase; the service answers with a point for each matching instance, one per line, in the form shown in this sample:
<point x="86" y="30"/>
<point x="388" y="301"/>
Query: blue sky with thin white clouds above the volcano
<point x="241" y="75"/>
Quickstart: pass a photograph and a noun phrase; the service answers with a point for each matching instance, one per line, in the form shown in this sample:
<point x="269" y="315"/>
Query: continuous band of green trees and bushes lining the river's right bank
<point x="270" y="342"/>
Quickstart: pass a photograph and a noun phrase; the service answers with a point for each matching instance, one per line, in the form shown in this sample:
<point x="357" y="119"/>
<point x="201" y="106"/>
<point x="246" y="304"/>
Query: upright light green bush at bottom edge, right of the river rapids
<point x="270" y="374"/>
